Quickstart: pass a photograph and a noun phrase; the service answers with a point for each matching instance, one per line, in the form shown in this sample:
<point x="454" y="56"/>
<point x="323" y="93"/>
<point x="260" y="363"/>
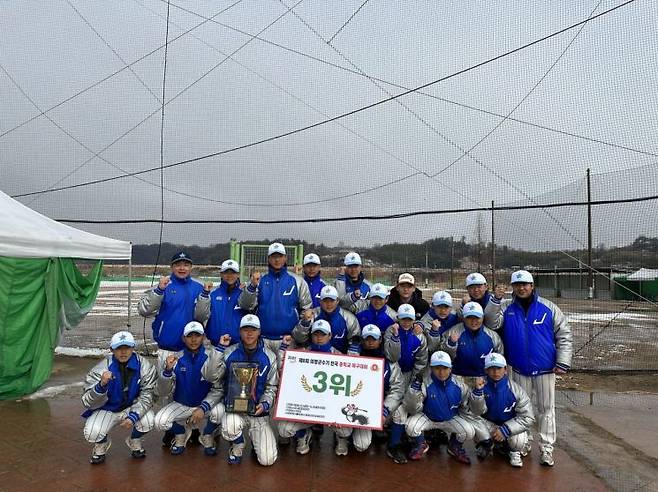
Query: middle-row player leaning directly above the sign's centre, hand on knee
<point x="345" y="330"/>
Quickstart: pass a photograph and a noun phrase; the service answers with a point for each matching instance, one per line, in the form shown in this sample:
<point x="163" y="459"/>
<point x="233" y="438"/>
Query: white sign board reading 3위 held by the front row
<point x="322" y="388"/>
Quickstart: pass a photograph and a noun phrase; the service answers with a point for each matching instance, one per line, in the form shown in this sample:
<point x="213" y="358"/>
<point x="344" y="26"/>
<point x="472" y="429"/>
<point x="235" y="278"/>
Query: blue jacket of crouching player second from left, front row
<point x="191" y="389"/>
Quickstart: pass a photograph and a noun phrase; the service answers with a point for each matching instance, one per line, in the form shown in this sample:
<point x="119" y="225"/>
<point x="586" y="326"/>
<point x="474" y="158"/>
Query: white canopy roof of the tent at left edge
<point x="25" y="233"/>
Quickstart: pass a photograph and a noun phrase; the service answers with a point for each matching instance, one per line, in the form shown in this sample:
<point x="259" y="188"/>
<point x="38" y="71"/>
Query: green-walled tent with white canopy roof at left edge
<point x="41" y="291"/>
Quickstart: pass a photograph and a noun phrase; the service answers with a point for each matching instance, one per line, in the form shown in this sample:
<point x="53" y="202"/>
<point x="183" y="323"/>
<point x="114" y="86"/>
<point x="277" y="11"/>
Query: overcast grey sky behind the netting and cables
<point x="263" y="68"/>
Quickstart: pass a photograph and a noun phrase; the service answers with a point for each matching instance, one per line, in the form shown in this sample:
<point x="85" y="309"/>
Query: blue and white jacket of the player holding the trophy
<point x="267" y="378"/>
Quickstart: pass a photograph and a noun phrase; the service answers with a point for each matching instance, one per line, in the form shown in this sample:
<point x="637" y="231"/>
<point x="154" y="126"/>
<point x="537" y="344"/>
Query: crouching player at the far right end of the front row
<point x="505" y="409"/>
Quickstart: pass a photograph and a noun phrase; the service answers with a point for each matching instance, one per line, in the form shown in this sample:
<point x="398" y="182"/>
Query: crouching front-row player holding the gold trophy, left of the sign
<point x="252" y="349"/>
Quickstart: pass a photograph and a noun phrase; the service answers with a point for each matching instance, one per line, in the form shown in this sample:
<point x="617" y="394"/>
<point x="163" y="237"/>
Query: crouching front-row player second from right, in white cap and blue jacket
<point x="440" y="402"/>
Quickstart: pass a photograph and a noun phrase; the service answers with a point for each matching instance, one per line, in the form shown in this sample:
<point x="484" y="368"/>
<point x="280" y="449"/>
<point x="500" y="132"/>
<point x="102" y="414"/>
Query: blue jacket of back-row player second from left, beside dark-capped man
<point x="225" y="313"/>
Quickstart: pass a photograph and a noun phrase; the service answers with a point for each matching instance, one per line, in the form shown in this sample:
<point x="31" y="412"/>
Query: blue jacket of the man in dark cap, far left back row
<point x="175" y="308"/>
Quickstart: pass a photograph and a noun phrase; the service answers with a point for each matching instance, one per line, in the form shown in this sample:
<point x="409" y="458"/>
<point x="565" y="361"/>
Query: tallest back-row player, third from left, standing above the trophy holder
<point x="279" y="297"/>
